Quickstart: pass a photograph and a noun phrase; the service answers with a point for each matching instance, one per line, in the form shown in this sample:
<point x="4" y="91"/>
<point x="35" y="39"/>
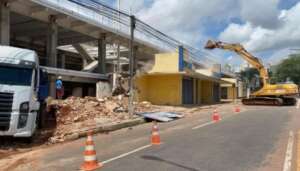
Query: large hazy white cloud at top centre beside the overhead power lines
<point x="184" y="20"/>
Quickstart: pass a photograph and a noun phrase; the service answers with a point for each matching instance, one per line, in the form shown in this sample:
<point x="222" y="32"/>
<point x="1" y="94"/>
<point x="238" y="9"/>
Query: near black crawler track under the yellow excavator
<point x="263" y="101"/>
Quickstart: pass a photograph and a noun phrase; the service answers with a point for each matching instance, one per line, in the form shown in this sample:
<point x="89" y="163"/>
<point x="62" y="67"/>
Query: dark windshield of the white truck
<point x="15" y="76"/>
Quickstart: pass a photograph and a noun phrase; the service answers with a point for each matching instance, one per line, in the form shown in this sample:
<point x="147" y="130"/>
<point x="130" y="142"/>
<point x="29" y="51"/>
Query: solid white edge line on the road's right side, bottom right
<point x="289" y="153"/>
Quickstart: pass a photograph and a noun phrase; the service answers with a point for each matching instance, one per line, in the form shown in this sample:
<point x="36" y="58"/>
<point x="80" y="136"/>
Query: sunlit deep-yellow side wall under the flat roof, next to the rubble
<point x="160" y="89"/>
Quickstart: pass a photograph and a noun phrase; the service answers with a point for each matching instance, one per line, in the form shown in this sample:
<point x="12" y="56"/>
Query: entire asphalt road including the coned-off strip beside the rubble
<point x="254" y="139"/>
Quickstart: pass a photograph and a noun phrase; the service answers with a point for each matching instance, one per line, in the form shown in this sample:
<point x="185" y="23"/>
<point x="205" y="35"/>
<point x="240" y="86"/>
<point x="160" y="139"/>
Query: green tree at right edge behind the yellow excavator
<point x="289" y="69"/>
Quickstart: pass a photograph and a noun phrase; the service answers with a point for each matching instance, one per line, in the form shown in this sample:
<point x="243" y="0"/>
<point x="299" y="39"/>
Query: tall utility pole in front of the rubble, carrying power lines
<point x="131" y="66"/>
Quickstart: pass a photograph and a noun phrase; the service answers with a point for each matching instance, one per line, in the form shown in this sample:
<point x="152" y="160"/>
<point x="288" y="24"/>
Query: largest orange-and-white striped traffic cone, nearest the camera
<point x="90" y="160"/>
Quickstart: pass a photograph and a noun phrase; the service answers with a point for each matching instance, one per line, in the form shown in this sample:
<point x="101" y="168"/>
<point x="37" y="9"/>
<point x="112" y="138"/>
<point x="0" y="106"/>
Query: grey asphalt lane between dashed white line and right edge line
<point x="242" y="142"/>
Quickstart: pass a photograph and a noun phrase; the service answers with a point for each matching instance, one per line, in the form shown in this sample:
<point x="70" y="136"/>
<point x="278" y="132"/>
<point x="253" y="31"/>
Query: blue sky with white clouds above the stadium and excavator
<point x="267" y="28"/>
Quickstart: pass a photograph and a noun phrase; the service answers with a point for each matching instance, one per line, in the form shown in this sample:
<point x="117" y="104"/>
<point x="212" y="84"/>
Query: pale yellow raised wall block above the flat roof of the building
<point x="166" y="63"/>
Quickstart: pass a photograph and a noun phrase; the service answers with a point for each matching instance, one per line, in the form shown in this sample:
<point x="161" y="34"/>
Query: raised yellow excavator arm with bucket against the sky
<point x="239" y="49"/>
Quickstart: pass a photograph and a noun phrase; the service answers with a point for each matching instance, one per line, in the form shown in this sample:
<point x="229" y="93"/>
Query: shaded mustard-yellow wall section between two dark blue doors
<point x="206" y="92"/>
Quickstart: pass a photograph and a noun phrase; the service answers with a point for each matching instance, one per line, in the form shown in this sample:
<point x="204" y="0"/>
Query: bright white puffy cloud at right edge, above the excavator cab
<point x="257" y="38"/>
